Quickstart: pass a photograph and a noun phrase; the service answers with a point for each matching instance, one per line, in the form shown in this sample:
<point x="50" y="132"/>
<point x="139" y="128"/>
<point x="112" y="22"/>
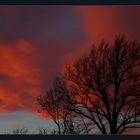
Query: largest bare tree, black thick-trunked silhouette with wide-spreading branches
<point x="105" y="86"/>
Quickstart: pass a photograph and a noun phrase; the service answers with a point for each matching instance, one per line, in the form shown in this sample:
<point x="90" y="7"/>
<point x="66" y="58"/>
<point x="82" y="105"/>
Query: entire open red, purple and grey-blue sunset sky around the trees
<point x="36" y="42"/>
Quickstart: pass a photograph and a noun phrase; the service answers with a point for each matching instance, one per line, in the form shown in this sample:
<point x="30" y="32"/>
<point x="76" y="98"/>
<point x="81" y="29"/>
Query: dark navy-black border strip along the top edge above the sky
<point x="69" y="2"/>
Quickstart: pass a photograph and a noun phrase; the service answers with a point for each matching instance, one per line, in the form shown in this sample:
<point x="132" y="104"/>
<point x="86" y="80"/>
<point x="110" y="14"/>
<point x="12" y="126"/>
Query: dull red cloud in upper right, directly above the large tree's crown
<point x="103" y="22"/>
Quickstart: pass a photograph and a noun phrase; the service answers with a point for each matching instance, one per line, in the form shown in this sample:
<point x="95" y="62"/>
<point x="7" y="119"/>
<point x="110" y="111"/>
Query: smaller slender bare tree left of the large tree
<point x="52" y="103"/>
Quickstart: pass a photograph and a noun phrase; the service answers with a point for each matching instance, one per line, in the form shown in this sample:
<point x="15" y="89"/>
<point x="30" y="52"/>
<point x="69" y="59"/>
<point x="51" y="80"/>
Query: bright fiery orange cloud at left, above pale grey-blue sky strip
<point x="19" y="76"/>
